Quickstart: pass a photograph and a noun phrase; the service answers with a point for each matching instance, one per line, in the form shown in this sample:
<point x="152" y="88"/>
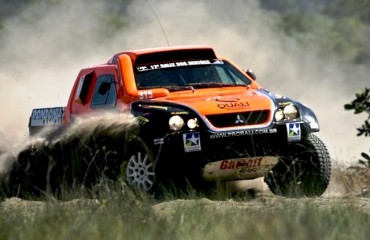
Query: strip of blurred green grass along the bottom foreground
<point x="118" y="214"/>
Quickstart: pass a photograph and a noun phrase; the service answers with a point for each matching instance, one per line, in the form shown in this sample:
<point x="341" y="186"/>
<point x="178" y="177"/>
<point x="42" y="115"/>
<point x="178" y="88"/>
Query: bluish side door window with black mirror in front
<point x="105" y="94"/>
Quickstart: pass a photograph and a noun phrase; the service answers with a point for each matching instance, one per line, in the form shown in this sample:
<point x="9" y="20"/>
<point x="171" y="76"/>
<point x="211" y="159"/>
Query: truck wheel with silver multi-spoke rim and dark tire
<point x="138" y="169"/>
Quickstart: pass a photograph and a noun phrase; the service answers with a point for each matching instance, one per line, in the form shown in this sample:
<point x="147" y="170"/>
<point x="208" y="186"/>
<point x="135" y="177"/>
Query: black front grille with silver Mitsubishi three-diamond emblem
<point x="238" y="119"/>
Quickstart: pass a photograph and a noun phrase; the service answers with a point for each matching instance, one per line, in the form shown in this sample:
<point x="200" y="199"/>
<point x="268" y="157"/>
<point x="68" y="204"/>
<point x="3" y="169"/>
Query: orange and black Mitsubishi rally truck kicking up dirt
<point x="199" y="119"/>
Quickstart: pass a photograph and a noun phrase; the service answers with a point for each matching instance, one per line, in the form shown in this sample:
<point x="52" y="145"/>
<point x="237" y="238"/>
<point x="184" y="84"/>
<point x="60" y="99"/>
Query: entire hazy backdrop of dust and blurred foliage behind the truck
<point x="317" y="52"/>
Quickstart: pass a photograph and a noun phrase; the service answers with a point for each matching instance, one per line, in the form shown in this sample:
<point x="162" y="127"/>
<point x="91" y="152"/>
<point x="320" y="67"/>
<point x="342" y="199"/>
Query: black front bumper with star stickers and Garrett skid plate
<point x="190" y="153"/>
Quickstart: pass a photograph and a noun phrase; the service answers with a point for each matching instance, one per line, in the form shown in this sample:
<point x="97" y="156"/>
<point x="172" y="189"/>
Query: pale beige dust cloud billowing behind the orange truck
<point x="44" y="46"/>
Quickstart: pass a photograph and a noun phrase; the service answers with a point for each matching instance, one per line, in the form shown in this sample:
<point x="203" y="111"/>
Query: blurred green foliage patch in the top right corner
<point x="337" y="29"/>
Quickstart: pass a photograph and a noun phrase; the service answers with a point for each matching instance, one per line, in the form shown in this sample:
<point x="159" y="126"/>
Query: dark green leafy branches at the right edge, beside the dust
<point x="361" y="104"/>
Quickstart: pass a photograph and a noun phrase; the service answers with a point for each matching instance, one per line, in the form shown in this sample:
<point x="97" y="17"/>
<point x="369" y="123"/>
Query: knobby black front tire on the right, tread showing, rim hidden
<point x="303" y="171"/>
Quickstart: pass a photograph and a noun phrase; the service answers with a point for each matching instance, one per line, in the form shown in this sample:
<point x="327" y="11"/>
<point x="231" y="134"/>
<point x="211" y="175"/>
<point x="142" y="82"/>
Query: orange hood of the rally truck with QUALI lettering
<point x="223" y="101"/>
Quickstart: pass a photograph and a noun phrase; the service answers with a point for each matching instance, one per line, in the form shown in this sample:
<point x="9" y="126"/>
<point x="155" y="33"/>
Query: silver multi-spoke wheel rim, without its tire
<point x="139" y="172"/>
